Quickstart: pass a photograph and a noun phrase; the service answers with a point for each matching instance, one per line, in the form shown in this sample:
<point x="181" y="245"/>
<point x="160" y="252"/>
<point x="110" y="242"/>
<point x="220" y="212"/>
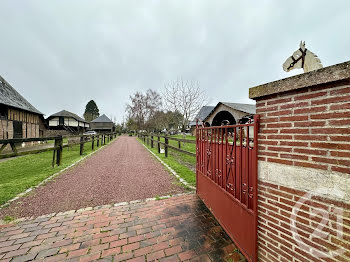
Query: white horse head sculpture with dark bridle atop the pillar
<point x="302" y="58"/>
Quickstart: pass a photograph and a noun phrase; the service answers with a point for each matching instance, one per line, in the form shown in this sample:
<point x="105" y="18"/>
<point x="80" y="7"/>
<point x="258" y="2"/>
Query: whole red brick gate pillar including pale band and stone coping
<point x="304" y="166"/>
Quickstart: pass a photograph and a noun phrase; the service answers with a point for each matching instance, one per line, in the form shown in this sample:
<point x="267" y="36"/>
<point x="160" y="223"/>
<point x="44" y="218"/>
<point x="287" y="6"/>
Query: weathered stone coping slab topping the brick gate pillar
<point x="324" y="75"/>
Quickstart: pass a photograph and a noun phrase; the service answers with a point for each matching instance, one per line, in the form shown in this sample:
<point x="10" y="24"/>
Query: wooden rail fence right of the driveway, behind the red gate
<point x="149" y="139"/>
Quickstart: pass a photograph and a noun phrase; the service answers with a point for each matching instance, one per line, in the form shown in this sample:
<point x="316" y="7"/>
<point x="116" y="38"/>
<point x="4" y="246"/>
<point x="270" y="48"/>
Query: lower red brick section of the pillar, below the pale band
<point x="283" y="238"/>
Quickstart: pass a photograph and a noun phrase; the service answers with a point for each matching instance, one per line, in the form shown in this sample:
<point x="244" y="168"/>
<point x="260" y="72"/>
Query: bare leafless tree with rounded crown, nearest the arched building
<point x="185" y="97"/>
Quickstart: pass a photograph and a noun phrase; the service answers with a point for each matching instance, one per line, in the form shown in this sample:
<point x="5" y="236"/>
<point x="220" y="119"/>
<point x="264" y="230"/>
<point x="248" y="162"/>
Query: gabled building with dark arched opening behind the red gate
<point x="231" y="113"/>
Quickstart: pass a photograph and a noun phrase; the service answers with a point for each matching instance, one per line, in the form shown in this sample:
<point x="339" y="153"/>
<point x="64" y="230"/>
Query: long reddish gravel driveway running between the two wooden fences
<point x="122" y="171"/>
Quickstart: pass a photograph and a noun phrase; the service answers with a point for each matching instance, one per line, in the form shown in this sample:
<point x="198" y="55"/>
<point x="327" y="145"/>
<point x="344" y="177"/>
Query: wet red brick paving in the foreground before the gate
<point x="180" y="228"/>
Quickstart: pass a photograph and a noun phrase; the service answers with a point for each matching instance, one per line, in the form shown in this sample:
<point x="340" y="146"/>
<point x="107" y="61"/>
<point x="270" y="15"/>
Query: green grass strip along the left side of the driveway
<point x="21" y="173"/>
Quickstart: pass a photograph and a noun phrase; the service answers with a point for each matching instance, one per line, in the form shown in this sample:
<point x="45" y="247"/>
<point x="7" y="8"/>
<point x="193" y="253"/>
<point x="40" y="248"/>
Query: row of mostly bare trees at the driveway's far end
<point x="180" y="102"/>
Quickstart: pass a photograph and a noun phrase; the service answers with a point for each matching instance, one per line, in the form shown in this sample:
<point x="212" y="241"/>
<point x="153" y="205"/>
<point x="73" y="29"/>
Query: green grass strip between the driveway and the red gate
<point x="184" y="165"/>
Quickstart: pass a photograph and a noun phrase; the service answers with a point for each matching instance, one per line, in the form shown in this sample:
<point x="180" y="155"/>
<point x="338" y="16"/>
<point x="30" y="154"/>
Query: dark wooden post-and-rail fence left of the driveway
<point x="58" y="146"/>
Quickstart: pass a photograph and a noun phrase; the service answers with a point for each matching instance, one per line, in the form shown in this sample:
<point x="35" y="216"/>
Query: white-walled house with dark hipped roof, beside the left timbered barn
<point x="65" y="120"/>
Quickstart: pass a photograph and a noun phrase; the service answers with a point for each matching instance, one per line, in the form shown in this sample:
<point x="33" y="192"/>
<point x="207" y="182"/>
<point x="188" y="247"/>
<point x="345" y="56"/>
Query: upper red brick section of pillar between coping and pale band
<point x="307" y="128"/>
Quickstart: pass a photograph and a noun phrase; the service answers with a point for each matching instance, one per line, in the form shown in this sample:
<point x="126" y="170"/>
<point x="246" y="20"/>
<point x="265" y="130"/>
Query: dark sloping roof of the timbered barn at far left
<point x="10" y="97"/>
